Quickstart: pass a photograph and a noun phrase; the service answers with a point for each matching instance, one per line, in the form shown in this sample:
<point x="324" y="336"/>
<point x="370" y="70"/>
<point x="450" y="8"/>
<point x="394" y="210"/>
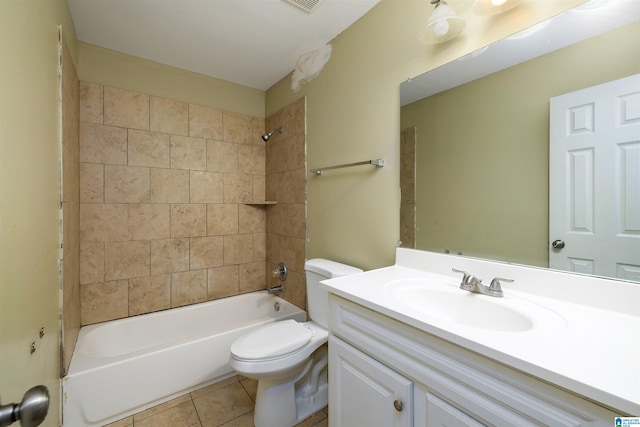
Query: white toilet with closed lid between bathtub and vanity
<point x="288" y="358"/>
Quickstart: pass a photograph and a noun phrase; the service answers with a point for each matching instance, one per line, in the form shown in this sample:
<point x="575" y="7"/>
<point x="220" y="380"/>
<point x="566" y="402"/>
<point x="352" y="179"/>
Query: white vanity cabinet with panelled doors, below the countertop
<point x="386" y="373"/>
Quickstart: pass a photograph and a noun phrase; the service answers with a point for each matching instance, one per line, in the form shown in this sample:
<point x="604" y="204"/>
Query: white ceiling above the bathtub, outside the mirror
<point x="250" y="42"/>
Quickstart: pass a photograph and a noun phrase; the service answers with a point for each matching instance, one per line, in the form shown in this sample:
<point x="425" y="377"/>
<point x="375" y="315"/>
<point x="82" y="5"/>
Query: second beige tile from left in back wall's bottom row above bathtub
<point x="151" y="293"/>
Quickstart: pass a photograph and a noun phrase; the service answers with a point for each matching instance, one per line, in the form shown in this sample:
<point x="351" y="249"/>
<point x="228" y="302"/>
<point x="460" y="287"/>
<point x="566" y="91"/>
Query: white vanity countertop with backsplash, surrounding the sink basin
<point x="595" y="352"/>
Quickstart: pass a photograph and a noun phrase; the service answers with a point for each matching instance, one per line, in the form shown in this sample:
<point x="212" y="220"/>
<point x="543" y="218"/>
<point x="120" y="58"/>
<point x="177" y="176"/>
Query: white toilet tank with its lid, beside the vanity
<point x="318" y="269"/>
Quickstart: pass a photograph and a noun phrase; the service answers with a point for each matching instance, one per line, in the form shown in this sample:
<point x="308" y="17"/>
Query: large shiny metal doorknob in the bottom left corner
<point x="31" y="411"/>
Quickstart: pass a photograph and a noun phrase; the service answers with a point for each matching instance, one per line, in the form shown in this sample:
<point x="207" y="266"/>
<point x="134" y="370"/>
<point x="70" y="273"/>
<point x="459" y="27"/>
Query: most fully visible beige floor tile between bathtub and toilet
<point x="223" y="405"/>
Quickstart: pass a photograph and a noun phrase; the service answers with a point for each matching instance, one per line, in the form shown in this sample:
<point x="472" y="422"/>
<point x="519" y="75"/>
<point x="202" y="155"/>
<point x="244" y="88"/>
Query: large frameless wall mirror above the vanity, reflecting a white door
<point x="475" y="153"/>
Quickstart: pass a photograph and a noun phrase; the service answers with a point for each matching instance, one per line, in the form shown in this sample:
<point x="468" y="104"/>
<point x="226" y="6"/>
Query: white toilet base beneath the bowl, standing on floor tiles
<point x="284" y="404"/>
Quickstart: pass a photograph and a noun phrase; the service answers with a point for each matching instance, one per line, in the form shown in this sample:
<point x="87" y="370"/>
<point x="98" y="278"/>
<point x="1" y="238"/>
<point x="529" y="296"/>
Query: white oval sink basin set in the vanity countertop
<point x="451" y="304"/>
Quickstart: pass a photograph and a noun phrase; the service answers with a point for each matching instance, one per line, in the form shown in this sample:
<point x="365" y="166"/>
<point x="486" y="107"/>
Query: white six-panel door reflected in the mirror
<point x="594" y="180"/>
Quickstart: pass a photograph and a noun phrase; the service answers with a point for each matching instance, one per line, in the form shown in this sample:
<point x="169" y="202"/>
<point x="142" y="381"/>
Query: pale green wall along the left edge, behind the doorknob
<point x="29" y="196"/>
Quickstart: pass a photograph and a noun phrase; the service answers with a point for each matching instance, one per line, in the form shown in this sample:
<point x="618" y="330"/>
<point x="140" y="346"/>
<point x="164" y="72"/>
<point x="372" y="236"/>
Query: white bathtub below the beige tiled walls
<point x="124" y="366"/>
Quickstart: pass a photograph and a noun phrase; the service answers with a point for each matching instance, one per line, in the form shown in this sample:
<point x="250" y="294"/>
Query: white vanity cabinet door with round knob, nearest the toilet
<point x="363" y="392"/>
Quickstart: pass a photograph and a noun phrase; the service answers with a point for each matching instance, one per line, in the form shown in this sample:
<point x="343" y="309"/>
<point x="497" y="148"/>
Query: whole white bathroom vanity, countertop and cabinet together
<point x="409" y="347"/>
